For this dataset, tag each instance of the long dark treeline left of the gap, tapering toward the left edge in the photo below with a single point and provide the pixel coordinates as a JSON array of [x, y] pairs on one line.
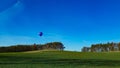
[[21, 48]]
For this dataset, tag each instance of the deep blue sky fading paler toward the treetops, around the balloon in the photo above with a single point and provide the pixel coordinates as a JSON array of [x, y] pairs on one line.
[[75, 23]]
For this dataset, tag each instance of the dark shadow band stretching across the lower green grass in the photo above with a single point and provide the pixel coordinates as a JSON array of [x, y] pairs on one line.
[[43, 60]]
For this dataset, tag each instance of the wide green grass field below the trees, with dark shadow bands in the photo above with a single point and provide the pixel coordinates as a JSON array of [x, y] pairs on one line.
[[59, 59]]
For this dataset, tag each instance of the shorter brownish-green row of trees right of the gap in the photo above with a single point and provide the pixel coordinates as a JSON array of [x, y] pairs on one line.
[[106, 47]]
